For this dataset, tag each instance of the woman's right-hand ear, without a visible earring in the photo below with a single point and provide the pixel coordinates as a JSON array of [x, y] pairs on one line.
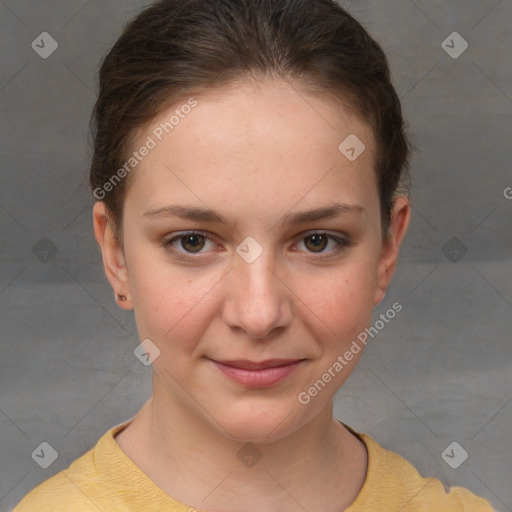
[[400, 217]]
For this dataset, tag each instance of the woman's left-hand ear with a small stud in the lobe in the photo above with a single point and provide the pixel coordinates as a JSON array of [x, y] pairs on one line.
[[113, 255]]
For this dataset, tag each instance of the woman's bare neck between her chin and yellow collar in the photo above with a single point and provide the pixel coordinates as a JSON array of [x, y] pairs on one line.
[[319, 466]]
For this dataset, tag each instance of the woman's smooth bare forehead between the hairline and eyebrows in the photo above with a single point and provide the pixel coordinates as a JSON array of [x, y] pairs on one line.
[[259, 140]]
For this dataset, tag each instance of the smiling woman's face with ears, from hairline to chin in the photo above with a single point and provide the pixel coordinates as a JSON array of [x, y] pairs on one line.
[[252, 277]]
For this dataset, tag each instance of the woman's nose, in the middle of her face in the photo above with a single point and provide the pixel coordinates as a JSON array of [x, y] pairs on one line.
[[258, 300]]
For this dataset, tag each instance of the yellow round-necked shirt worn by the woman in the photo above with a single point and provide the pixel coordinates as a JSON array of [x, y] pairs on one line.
[[105, 479]]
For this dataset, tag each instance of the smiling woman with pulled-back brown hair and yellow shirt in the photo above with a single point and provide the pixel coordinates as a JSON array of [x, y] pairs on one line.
[[247, 158]]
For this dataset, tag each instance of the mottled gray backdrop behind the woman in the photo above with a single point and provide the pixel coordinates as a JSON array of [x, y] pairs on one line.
[[439, 372]]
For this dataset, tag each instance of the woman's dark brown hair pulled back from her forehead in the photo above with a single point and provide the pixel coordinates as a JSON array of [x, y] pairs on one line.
[[174, 47]]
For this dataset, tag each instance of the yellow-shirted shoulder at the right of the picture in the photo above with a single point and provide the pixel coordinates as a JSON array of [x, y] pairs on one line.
[[392, 483]]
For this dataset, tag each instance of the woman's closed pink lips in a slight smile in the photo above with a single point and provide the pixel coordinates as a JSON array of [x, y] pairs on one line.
[[261, 375]]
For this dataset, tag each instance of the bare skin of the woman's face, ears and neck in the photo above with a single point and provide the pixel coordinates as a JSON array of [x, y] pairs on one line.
[[254, 152]]
